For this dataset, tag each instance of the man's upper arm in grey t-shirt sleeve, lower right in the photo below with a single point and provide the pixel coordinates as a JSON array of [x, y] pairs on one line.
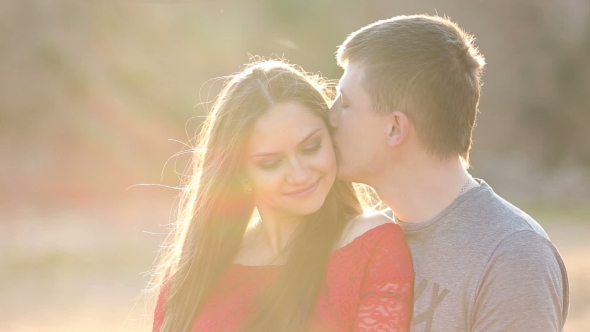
[[524, 288]]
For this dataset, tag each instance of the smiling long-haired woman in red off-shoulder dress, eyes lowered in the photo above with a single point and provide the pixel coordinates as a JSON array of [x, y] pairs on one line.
[[308, 259]]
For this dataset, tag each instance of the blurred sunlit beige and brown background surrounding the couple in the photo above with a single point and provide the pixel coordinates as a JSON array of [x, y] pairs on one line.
[[97, 97]]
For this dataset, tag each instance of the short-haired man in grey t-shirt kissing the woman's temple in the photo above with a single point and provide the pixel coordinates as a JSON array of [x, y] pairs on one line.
[[403, 122]]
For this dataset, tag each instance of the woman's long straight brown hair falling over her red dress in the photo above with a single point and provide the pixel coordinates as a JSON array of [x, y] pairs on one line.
[[215, 211]]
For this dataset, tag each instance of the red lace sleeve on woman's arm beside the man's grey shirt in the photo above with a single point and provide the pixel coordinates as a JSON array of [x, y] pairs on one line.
[[387, 289]]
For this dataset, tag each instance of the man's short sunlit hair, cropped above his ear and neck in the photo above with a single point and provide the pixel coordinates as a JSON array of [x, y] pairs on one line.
[[427, 67]]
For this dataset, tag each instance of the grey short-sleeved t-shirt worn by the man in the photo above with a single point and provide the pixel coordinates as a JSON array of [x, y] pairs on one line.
[[484, 265]]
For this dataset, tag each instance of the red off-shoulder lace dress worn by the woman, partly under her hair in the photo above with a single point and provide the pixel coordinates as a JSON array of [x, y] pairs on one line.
[[369, 285]]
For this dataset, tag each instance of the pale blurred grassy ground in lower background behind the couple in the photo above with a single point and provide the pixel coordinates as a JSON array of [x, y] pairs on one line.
[[72, 273]]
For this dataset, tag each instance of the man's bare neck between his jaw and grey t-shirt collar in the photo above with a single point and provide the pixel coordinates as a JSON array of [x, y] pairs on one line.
[[419, 192]]
